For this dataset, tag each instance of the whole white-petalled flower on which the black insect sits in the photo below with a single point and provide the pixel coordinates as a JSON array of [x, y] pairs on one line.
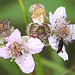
[[60, 28]]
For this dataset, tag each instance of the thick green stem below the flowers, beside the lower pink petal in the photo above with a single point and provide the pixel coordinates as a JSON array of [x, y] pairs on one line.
[[38, 67]]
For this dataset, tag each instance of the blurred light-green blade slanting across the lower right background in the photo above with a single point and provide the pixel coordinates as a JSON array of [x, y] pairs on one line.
[[55, 66]]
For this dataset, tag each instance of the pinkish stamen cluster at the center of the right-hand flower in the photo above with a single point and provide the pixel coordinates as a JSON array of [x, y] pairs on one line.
[[61, 29]]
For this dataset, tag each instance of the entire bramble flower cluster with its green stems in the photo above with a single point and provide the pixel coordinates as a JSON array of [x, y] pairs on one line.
[[43, 30]]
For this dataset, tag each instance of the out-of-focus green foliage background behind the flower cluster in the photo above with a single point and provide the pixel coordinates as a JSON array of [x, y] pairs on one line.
[[52, 63]]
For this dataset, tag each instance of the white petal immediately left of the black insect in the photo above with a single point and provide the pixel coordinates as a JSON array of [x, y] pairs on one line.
[[53, 42]]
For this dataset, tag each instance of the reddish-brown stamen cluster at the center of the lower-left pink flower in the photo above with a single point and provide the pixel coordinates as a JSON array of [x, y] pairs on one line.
[[16, 49]]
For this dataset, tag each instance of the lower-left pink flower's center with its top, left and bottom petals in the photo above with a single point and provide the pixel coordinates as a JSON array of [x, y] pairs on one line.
[[15, 49]]
